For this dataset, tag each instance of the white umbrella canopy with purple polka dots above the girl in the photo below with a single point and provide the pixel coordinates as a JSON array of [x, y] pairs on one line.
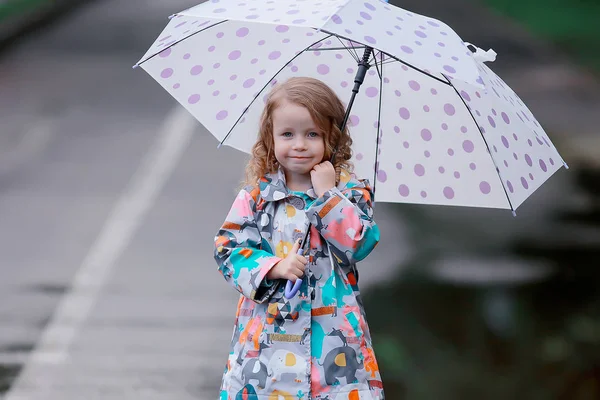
[[431, 125]]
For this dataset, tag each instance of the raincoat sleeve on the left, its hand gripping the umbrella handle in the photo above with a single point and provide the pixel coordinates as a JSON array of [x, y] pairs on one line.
[[239, 252]]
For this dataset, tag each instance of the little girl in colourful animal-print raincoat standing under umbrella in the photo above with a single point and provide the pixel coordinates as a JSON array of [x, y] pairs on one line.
[[317, 344]]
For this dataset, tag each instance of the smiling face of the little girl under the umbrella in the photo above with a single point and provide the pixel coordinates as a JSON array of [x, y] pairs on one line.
[[299, 143]]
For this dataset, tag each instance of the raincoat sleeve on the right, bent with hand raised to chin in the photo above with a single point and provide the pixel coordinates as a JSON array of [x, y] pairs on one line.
[[345, 220]]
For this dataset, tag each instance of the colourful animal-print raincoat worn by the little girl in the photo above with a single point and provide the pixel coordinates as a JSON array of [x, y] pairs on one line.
[[316, 345]]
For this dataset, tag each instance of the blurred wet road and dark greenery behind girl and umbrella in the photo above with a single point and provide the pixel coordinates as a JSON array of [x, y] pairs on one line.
[[108, 288]]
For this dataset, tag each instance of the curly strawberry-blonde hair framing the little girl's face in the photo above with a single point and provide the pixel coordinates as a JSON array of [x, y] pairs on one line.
[[325, 108]]
